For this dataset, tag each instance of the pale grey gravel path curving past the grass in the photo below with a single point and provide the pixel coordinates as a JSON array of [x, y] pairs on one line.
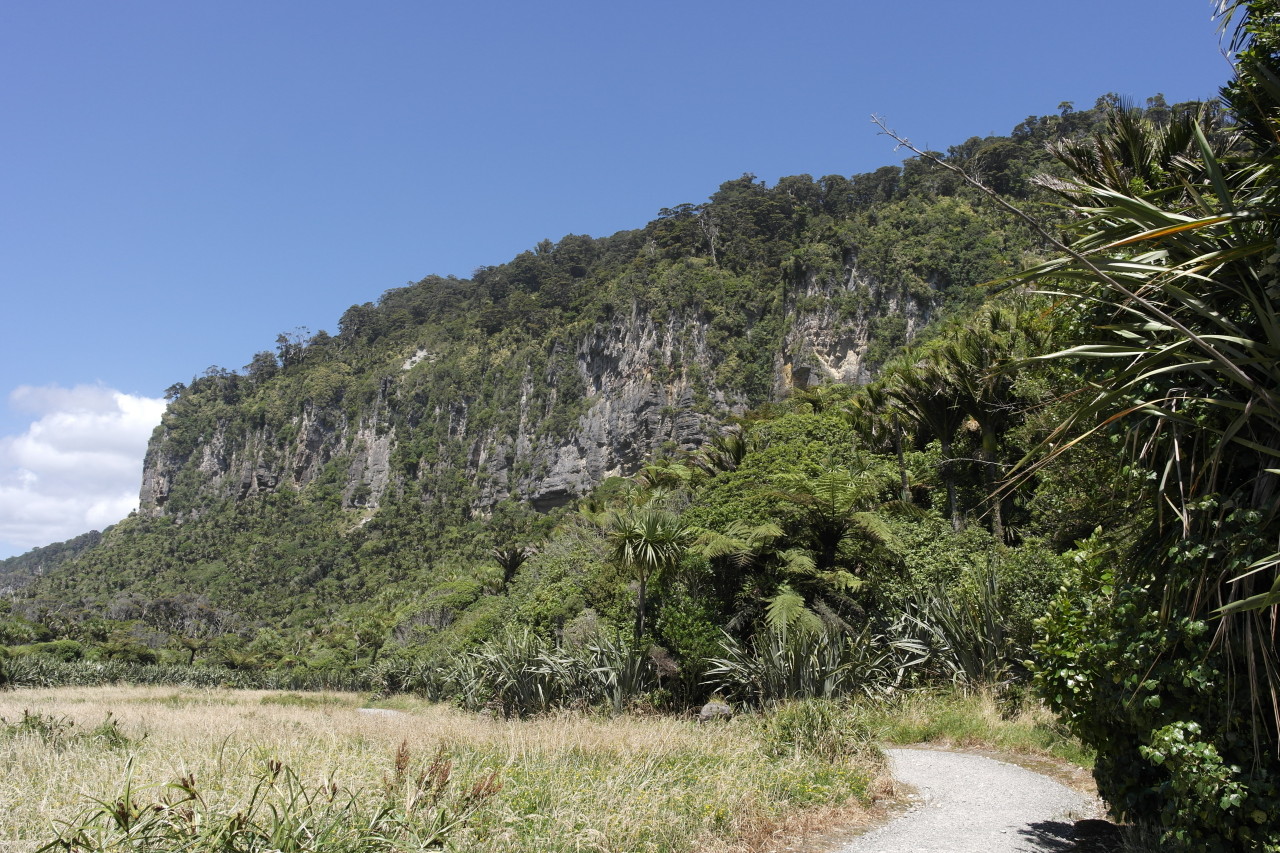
[[976, 805]]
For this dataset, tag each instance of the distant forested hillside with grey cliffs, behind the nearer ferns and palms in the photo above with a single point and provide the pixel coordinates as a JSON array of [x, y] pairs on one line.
[[380, 463]]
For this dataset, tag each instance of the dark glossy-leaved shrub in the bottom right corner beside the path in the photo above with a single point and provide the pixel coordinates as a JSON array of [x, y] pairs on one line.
[[1150, 694]]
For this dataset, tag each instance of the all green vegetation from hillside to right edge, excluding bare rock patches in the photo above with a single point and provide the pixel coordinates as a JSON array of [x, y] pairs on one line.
[[1072, 482]]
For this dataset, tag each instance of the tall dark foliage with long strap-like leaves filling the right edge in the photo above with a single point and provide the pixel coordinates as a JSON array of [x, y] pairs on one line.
[[1176, 261]]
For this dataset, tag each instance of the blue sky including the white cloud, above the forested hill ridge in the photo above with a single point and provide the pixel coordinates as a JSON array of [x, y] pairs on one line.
[[184, 183]]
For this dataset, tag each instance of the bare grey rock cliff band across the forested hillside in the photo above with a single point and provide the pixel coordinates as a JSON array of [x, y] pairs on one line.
[[629, 387]]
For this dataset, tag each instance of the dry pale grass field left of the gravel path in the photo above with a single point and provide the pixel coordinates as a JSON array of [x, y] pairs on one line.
[[316, 773]]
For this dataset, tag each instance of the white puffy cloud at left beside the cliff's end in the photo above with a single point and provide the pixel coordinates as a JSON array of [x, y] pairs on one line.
[[76, 468]]
